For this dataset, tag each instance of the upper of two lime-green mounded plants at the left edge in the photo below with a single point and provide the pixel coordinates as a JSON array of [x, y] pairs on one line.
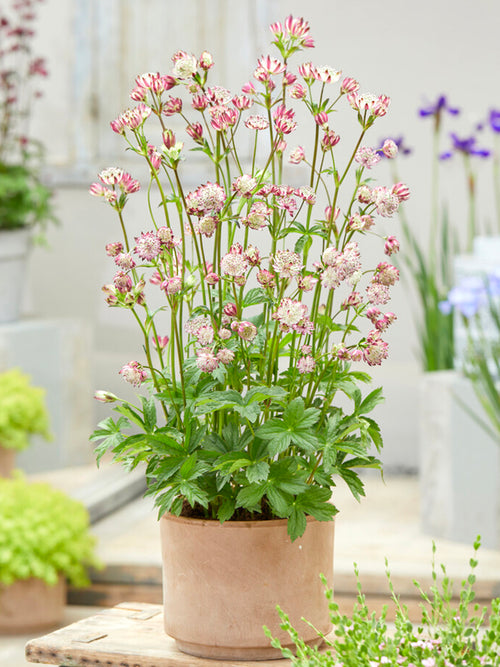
[[23, 413]]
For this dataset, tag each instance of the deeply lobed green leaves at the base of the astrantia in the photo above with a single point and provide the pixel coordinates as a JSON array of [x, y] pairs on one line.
[[286, 463]]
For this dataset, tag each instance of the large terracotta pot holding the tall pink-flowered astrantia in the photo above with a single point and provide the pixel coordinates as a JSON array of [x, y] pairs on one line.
[[222, 582]]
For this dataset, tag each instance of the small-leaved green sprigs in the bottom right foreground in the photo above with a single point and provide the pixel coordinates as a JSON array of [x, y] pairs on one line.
[[451, 631]]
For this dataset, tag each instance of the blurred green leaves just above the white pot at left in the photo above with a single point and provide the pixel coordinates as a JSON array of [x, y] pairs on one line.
[[24, 200]]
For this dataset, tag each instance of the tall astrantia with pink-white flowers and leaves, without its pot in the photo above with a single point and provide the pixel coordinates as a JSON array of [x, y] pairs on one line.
[[267, 311]]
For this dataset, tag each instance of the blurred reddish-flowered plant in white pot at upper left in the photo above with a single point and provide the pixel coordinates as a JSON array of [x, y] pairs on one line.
[[25, 202]]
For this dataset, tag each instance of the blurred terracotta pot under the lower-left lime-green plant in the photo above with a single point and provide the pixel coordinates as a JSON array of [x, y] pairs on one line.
[[31, 605]]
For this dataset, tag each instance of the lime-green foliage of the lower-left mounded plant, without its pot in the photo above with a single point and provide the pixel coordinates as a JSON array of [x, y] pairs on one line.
[[43, 534]]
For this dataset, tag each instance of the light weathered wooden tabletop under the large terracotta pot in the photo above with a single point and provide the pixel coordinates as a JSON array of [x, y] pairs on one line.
[[128, 635]]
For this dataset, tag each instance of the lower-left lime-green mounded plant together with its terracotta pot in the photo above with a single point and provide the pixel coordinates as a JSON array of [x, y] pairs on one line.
[[44, 541]]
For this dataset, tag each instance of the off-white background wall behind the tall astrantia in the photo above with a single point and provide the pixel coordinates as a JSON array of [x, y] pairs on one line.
[[410, 51]]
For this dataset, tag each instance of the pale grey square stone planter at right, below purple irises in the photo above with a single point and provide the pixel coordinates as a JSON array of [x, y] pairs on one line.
[[459, 464]]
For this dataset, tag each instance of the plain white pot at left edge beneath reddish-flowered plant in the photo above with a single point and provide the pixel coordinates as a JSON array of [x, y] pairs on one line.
[[14, 250]]
